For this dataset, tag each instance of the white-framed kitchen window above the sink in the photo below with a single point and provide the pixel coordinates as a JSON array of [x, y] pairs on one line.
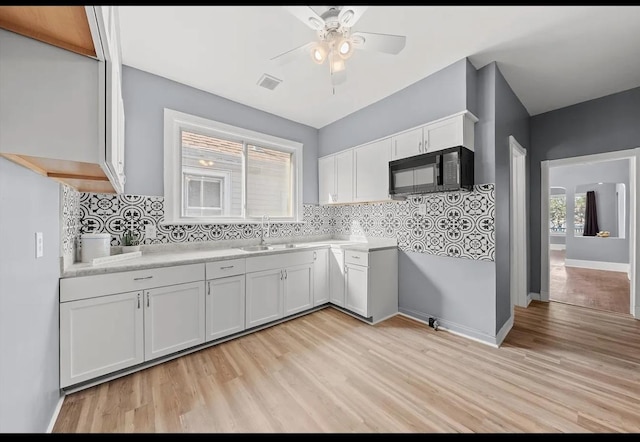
[[217, 173]]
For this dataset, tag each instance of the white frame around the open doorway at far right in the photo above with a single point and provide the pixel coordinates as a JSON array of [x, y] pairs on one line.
[[633, 155]]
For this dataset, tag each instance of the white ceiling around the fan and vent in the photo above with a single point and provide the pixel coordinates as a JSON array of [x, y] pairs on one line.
[[552, 56]]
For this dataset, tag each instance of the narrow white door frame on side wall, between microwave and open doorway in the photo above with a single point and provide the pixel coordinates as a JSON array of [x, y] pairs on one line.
[[518, 225]]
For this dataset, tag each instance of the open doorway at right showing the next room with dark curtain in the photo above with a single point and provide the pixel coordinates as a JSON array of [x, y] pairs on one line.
[[587, 264]]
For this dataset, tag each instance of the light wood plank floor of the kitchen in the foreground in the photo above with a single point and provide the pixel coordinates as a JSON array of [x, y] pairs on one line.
[[562, 368]]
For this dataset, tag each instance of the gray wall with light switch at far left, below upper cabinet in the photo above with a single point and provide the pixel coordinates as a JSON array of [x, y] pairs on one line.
[[29, 334]]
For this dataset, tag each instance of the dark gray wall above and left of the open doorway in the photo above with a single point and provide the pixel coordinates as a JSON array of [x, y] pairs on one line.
[[605, 124]]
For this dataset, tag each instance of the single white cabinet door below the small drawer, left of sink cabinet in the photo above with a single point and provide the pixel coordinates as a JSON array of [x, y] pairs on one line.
[[225, 307]]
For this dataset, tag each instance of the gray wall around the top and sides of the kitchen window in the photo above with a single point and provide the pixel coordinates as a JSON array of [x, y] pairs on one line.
[[146, 95]]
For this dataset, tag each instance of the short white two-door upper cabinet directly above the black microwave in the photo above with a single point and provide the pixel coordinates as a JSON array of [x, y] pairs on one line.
[[455, 130]]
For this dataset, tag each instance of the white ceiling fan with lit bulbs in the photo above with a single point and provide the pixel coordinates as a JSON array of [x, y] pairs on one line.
[[336, 42]]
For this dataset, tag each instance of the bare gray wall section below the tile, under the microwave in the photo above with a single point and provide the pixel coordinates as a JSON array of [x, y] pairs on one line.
[[459, 292]]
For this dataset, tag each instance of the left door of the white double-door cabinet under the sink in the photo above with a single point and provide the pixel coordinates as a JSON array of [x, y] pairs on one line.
[[264, 297]]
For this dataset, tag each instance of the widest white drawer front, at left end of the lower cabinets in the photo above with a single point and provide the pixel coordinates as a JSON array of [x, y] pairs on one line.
[[85, 287]]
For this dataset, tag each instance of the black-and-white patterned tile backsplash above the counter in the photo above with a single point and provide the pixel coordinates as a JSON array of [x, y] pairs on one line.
[[456, 224]]
